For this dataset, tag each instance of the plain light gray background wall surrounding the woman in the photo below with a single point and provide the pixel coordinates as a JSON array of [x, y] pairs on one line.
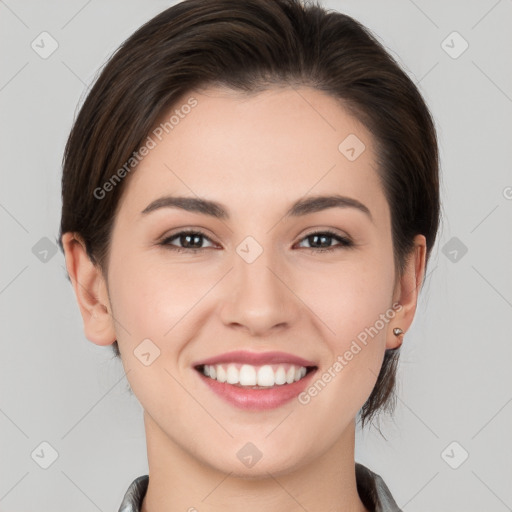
[[455, 379]]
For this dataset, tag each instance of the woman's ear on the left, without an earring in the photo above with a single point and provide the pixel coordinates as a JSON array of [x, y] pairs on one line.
[[90, 290]]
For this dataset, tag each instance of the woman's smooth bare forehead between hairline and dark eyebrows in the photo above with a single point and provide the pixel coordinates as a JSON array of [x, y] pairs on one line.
[[256, 150]]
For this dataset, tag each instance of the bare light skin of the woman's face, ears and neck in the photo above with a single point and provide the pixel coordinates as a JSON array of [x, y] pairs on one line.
[[256, 155]]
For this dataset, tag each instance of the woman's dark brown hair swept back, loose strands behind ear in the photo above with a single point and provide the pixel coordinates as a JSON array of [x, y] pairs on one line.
[[250, 46]]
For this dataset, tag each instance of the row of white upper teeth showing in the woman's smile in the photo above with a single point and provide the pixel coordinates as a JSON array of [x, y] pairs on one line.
[[248, 375]]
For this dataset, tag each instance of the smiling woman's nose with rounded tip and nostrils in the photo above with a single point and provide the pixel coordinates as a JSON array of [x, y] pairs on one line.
[[259, 297]]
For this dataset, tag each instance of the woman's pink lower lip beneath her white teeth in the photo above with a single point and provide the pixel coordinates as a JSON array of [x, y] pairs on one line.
[[257, 399]]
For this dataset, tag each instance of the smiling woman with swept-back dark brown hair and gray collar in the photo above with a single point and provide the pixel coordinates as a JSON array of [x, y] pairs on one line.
[[250, 199]]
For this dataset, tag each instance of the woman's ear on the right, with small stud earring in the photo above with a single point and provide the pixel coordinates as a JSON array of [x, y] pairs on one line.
[[406, 292]]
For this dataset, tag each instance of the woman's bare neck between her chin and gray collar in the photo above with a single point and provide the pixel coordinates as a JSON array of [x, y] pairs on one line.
[[179, 481]]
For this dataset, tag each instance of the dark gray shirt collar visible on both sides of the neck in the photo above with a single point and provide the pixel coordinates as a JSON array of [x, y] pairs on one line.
[[372, 490]]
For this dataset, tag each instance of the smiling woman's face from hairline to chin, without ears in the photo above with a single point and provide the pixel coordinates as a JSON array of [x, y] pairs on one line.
[[258, 281]]
